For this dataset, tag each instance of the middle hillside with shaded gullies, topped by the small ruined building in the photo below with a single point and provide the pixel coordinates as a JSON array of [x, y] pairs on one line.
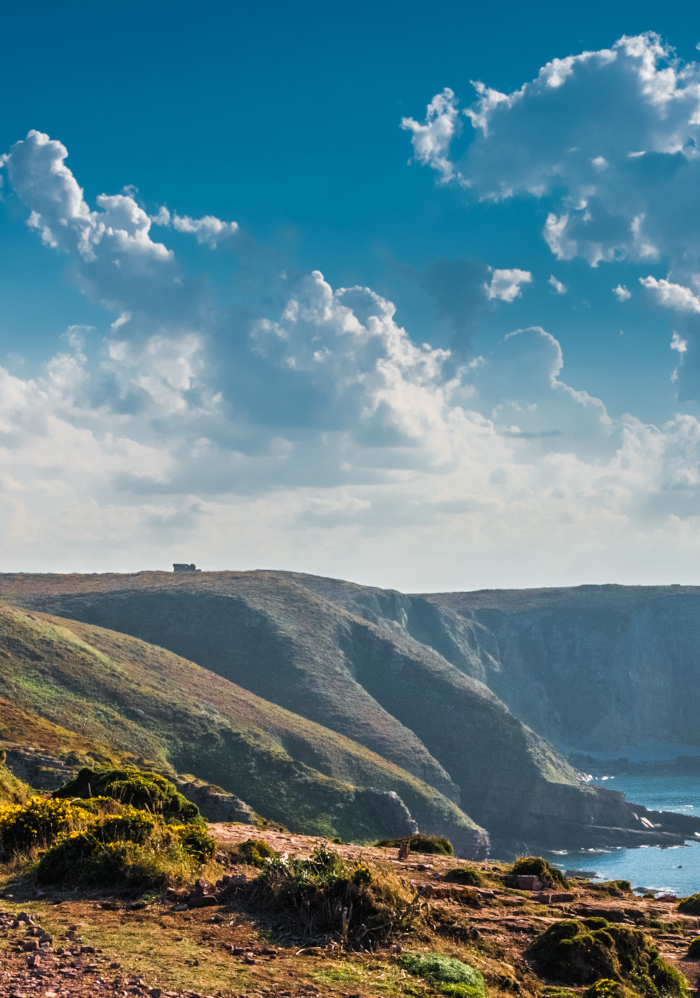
[[366, 663]]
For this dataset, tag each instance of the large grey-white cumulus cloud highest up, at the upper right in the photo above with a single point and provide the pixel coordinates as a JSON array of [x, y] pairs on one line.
[[612, 135]]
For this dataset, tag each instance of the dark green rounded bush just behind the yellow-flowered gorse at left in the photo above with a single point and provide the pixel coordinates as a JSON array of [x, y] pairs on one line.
[[147, 791]]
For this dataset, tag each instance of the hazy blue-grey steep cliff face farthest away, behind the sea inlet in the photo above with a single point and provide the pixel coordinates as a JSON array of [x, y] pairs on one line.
[[598, 668]]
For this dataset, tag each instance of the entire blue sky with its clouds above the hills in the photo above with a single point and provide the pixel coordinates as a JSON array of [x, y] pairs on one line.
[[281, 288]]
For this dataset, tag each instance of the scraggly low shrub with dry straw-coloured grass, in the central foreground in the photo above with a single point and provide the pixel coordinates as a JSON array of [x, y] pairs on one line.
[[325, 895]]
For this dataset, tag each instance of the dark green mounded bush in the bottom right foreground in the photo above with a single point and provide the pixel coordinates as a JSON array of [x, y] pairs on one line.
[[582, 951]]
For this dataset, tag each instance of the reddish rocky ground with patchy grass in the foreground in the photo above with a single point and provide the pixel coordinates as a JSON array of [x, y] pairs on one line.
[[203, 943]]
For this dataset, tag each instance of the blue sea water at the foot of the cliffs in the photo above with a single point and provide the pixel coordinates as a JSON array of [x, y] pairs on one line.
[[675, 870]]
